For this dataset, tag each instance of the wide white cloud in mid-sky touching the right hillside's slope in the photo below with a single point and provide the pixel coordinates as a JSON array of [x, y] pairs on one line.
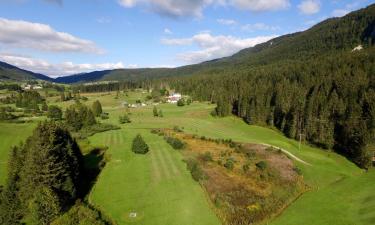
[[211, 47]]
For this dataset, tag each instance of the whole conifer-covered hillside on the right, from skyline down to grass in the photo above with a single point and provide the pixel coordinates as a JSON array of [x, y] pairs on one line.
[[310, 85]]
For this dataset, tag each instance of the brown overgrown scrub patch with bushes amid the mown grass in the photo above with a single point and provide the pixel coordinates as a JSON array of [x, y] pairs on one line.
[[247, 183]]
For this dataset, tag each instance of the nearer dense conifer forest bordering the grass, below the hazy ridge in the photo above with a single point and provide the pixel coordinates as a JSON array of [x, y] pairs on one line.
[[329, 101]]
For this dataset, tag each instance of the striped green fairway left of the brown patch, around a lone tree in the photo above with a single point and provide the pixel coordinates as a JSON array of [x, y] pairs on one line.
[[157, 186]]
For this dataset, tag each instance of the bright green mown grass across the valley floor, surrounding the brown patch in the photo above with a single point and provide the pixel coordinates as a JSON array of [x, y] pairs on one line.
[[159, 188]]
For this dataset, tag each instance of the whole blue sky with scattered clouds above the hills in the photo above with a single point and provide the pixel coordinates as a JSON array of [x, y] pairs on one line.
[[61, 37]]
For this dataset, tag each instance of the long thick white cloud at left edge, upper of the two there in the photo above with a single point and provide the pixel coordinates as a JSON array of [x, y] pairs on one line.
[[23, 34]]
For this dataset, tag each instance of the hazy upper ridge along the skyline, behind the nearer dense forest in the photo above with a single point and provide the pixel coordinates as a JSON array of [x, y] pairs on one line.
[[330, 36]]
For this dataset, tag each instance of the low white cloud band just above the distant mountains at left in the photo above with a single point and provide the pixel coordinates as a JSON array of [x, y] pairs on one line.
[[54, 70]]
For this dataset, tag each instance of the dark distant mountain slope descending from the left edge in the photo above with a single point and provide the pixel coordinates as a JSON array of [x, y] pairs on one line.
[[13, 73]]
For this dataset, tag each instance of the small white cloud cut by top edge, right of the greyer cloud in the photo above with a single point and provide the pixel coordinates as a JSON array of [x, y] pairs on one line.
[[260, 5]]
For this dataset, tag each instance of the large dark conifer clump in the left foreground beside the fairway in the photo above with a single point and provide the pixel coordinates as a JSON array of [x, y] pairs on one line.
[[44, 176]]
